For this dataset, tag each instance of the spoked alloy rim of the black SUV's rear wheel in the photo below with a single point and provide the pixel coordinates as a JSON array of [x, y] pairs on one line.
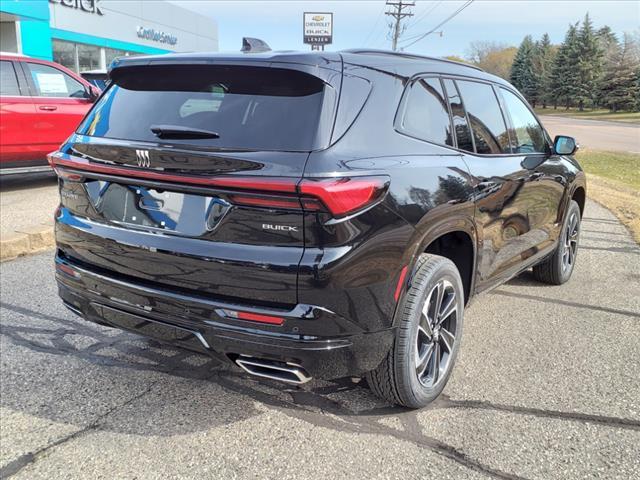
[[436, 335]]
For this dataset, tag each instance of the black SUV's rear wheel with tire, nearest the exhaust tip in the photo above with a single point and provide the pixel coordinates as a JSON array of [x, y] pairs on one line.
[[397, 378]]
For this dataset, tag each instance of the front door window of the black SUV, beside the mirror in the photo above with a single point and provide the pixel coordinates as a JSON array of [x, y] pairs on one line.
[[527, 132]]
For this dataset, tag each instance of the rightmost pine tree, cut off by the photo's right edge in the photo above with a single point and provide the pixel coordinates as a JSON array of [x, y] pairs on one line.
[[619, 86]]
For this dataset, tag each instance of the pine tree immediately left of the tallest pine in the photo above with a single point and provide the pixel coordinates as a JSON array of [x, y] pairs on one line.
[[564, 75]]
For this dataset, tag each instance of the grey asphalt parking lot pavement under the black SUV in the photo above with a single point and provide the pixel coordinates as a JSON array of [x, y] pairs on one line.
[[546, 386]]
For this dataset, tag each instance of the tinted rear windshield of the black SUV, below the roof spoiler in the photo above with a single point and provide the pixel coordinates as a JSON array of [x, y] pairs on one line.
[[247, 107]]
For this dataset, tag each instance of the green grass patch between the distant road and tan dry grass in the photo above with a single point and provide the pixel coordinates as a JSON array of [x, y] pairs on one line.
[[620, 167]]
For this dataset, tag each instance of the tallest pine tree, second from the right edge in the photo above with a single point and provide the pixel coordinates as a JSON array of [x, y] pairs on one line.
[[589, 64]]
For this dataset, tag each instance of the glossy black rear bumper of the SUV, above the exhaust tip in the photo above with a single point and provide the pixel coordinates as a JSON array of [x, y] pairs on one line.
[[323, 343]]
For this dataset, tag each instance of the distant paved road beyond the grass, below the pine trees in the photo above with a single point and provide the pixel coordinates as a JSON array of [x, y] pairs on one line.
[[596, 134]]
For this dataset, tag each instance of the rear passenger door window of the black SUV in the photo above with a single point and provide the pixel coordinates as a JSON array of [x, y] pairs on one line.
[[487, 124]]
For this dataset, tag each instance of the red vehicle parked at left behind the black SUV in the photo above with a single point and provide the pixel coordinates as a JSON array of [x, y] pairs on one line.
[[41, 104]]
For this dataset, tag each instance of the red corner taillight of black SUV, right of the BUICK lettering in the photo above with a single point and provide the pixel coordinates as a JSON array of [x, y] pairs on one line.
[[342, 196]]
